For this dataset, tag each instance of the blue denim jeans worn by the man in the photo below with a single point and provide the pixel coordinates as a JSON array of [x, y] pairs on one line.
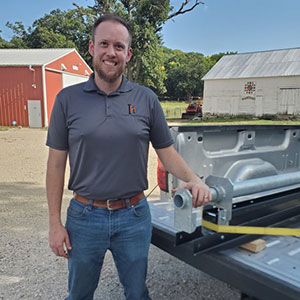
[[94, 230]]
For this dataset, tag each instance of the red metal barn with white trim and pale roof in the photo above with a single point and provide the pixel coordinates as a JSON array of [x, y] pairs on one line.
[[30, 80]]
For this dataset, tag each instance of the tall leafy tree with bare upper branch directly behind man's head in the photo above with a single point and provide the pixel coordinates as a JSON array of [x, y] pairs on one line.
[[146, 18]]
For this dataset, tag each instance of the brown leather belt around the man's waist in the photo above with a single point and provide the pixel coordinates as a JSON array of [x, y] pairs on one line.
[[111, 204]]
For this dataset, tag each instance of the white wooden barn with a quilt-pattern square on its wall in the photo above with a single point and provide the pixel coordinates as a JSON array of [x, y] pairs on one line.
[[258, 83]]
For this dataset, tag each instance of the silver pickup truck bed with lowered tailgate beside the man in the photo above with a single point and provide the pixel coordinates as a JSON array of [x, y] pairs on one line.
[[239, 154]]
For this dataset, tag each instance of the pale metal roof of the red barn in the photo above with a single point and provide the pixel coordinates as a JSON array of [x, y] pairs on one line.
[[25, 57]]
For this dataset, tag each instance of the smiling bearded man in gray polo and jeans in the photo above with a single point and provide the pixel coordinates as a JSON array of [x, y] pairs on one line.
[[104, 126]]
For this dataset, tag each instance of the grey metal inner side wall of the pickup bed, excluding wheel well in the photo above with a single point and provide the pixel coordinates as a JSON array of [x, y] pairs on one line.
[[212, 150]]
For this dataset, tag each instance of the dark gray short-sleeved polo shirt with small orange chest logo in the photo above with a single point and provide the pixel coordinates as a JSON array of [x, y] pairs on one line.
[[107, 137]]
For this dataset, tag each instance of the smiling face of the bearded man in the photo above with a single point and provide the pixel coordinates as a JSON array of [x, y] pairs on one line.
[[110, 50]]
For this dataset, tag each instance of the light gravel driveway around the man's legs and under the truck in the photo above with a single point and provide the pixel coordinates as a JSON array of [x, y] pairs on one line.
[[29, 270]]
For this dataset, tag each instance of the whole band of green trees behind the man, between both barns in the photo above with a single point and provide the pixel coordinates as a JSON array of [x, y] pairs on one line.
[[172, 73]]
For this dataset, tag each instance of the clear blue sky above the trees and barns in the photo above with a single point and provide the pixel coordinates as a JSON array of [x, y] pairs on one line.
[[217, 26]]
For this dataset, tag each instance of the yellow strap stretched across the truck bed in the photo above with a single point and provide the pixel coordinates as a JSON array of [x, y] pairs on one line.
[[251, 229]]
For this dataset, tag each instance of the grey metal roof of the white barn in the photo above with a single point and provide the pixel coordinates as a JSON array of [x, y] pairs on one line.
[[257, 64]]
